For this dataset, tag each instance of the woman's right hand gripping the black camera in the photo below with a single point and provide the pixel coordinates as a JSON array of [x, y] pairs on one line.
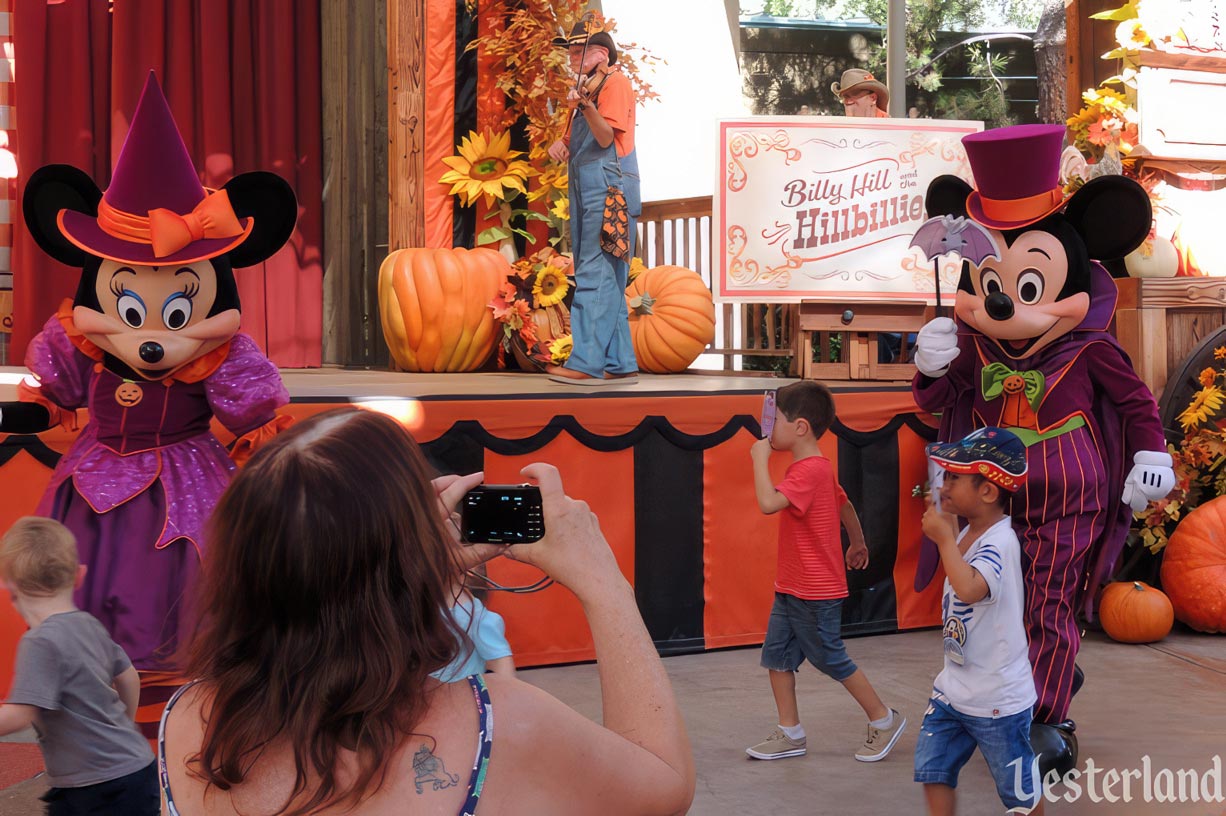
[[573, 552]]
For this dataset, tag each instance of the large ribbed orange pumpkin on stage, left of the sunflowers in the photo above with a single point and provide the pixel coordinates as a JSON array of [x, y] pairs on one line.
[[435, 307]]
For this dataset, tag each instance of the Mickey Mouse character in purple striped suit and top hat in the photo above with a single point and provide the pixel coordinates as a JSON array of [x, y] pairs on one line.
[[1030, 352]]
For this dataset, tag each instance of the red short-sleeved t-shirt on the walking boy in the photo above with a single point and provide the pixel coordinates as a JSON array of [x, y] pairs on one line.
[[811, 561]]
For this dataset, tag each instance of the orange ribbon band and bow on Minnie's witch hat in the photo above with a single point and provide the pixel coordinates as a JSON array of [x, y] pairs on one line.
[[169, 232]]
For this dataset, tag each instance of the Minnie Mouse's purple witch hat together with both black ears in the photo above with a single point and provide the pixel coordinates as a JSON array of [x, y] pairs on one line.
[[156, 210]]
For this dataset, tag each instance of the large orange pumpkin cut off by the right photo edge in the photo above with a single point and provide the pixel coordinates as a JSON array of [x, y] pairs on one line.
[[1195, 568]]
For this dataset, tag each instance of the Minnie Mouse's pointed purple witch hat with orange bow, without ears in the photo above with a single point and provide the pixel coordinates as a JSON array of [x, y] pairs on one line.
[[156, 210]]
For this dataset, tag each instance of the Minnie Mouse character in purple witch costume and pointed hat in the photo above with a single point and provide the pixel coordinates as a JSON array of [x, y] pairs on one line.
[[151, 347]]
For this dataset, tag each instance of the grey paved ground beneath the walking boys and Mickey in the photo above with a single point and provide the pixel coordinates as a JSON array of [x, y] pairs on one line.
[[1165, 701]]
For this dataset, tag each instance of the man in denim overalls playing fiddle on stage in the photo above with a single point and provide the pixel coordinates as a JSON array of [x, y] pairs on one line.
[[601, 160]]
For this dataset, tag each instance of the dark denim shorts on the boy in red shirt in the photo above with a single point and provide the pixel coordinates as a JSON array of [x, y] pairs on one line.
[[801, 630]]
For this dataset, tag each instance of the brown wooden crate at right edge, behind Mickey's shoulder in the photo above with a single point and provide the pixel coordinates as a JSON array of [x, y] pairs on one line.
[[1160, 320]]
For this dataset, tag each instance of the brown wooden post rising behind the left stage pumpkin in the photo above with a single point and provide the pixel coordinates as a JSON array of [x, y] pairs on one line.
[[406, 123]]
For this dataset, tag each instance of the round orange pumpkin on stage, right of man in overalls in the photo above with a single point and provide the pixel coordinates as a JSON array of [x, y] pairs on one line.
[[672, 318]]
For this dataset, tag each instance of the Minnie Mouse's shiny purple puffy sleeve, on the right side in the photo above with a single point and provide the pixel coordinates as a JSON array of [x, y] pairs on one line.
[[247, 390]]
